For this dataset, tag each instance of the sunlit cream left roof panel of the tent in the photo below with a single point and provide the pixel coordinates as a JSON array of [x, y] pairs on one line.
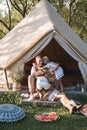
[[24, 36]]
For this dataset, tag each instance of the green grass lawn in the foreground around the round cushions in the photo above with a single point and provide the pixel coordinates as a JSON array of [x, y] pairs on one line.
[[67, 121]]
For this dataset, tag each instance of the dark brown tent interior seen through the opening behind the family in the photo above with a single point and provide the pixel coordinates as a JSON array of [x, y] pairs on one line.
[[56, 53]]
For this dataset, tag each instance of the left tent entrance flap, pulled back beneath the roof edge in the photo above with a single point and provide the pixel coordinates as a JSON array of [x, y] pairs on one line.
[[33, 51]]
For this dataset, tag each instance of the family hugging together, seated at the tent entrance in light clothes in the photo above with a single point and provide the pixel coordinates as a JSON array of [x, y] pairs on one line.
[[45, 82]]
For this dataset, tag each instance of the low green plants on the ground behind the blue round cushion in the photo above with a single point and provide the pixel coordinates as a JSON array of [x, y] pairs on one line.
[[11, 97]]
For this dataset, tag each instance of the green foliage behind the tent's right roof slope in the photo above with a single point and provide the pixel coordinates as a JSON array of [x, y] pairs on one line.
[[79, 15]]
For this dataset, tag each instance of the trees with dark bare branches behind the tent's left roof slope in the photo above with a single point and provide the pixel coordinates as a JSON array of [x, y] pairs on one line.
[[17, 10]]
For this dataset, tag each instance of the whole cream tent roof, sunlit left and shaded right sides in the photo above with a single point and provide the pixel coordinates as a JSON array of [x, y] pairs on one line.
[[42, 20]]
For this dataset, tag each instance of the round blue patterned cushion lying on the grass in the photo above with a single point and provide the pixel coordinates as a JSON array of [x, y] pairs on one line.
[[11, 113]]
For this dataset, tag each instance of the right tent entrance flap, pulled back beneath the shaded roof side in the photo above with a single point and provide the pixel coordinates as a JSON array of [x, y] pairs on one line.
[[74, 55]]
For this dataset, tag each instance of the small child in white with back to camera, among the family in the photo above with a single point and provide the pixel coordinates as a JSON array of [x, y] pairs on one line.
[[42, 83]]
